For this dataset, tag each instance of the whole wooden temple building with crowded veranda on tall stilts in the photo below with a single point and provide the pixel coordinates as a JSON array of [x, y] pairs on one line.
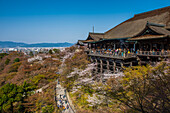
[[143, 39]]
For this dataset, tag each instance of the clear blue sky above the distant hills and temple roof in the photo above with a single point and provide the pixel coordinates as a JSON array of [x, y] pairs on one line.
[[52, 21]]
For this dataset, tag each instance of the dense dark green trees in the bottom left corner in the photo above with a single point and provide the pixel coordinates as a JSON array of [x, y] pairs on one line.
[[11, 96]]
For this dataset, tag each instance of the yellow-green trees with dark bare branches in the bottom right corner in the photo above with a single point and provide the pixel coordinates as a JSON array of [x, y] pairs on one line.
[[143, 89]]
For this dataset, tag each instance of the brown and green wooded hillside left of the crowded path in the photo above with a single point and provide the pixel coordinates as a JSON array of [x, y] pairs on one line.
[[20, 80]]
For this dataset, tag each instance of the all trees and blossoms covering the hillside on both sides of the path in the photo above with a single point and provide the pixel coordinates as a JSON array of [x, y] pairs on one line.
[[139, 89]]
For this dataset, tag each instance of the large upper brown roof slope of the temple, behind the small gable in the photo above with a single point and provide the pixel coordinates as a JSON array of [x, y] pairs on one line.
[[133, 26]]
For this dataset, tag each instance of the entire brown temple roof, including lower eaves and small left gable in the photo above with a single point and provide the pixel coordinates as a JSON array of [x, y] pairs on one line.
[[158, 20]]
